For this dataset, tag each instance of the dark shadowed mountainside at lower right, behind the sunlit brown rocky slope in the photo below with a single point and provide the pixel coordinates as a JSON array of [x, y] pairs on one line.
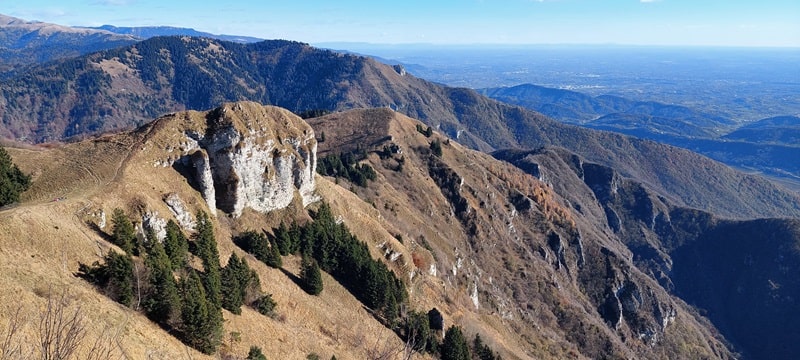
[[737, 273]]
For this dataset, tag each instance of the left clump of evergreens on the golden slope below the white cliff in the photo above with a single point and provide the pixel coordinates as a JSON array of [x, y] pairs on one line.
[[170, 292]]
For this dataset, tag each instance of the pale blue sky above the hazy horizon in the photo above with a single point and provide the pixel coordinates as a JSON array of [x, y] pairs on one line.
[[763, 23]]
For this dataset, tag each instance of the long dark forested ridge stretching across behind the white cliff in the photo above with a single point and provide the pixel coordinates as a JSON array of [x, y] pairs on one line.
[[124, 87]]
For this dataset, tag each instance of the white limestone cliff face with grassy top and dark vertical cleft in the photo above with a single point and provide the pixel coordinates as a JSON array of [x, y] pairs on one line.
[[245, 155]]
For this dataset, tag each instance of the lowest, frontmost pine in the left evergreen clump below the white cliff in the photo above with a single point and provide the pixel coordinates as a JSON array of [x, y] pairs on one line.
[[200, 327]]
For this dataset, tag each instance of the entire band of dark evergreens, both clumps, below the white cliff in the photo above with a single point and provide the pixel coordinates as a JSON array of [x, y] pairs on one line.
[[189, 302]]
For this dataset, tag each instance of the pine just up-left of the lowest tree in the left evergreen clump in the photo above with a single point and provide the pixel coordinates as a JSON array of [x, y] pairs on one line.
[[162, 304]]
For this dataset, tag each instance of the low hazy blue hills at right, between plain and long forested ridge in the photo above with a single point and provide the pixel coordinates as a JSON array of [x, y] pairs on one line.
[[770, 146]]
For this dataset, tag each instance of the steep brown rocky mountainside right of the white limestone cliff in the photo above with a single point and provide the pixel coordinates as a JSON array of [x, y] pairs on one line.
[[488, 241]]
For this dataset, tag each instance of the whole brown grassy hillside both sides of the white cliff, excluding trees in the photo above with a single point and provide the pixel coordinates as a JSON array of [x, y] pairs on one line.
[[499, 252]]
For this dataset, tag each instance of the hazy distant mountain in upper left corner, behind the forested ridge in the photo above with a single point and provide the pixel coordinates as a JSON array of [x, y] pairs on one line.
[[23, 43]]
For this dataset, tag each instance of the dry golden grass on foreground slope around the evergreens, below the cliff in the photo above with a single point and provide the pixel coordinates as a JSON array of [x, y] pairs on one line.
[[42, 241]]
